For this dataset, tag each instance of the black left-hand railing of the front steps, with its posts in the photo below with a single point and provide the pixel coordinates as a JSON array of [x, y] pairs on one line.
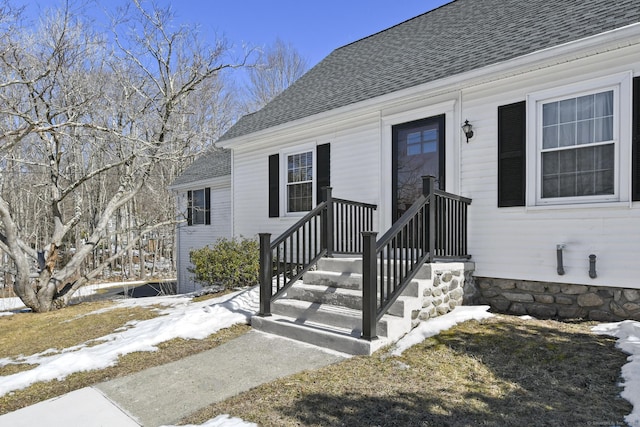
[[335, 226]]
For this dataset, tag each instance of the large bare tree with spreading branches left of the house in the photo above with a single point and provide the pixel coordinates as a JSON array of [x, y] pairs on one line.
[[87, 127]]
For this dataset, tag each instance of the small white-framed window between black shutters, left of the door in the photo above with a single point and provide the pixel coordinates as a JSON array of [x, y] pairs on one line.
[[299, 180]]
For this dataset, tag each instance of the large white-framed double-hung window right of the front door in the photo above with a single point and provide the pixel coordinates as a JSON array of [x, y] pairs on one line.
[[576, 136]]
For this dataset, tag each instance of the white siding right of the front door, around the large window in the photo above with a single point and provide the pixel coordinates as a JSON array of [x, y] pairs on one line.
[[520, 242]]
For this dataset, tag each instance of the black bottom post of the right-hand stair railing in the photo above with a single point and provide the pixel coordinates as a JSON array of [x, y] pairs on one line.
[[369, 286]]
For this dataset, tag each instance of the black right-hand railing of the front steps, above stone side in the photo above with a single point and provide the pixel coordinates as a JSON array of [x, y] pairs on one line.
[[435, 226]]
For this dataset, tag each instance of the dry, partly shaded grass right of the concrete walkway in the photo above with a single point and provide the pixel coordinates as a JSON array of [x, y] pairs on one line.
[[504, 371]]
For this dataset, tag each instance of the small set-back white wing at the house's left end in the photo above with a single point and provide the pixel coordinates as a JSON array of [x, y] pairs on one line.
[[204, 209]]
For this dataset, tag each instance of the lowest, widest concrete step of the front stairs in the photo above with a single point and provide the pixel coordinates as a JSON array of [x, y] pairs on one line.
[[337, 339]]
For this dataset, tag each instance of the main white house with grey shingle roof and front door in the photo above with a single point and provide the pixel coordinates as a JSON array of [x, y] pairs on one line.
[[552, 92]]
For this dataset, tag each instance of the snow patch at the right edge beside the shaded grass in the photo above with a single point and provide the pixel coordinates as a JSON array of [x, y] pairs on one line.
[[628, 334]]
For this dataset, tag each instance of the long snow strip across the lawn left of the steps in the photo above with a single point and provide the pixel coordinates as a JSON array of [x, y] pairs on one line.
[[182, 319]]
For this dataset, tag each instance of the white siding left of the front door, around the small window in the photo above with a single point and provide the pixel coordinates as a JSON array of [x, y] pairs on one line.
[[352, 180]]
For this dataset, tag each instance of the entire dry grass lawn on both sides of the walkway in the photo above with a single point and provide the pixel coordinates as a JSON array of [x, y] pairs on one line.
[[503, 371]]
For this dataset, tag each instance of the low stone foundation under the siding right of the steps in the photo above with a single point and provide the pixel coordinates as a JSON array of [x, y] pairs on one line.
[[556, 300]]
